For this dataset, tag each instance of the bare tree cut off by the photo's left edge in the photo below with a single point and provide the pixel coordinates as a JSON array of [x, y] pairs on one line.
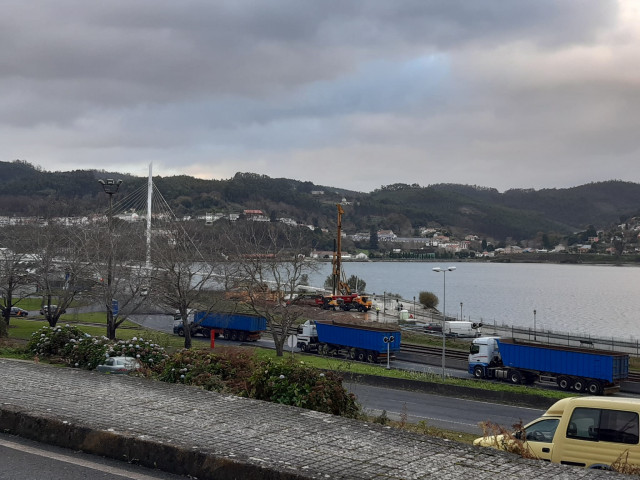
[[15, 279]]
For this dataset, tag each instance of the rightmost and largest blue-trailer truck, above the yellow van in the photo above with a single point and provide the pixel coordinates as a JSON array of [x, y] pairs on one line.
[[570, 368]]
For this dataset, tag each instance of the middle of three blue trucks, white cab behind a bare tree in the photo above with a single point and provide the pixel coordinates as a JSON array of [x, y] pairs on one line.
[[366, 343]]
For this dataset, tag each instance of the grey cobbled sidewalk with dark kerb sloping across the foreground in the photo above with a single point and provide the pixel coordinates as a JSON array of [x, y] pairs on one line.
[[208, 435]]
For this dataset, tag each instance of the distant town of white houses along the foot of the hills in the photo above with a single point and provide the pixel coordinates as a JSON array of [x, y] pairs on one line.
[[429, 242]]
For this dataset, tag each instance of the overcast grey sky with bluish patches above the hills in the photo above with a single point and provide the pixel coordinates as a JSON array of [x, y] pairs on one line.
[[348, 93]]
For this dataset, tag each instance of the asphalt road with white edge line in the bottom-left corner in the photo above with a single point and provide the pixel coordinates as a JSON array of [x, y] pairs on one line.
[[26, 460]]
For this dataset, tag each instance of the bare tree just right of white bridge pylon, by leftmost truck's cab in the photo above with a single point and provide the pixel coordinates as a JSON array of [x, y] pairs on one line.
[[186, 272]]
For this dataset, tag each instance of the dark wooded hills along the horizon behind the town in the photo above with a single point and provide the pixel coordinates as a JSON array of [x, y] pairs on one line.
[[519, 214]]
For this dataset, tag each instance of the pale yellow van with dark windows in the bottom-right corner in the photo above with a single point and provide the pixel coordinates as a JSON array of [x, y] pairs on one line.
[[592, 432]]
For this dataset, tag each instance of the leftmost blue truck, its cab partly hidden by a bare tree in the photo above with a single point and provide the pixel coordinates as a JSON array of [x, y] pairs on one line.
[[232, 326]]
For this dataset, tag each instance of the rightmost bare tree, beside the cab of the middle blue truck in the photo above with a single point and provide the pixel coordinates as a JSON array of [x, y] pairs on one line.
[[272, 262]]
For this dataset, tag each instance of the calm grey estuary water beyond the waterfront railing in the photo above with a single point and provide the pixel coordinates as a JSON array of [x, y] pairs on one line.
[[586, 299]]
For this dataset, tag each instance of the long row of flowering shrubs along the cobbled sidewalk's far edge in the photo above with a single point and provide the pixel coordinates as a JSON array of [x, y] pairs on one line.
[[231, 370]]
